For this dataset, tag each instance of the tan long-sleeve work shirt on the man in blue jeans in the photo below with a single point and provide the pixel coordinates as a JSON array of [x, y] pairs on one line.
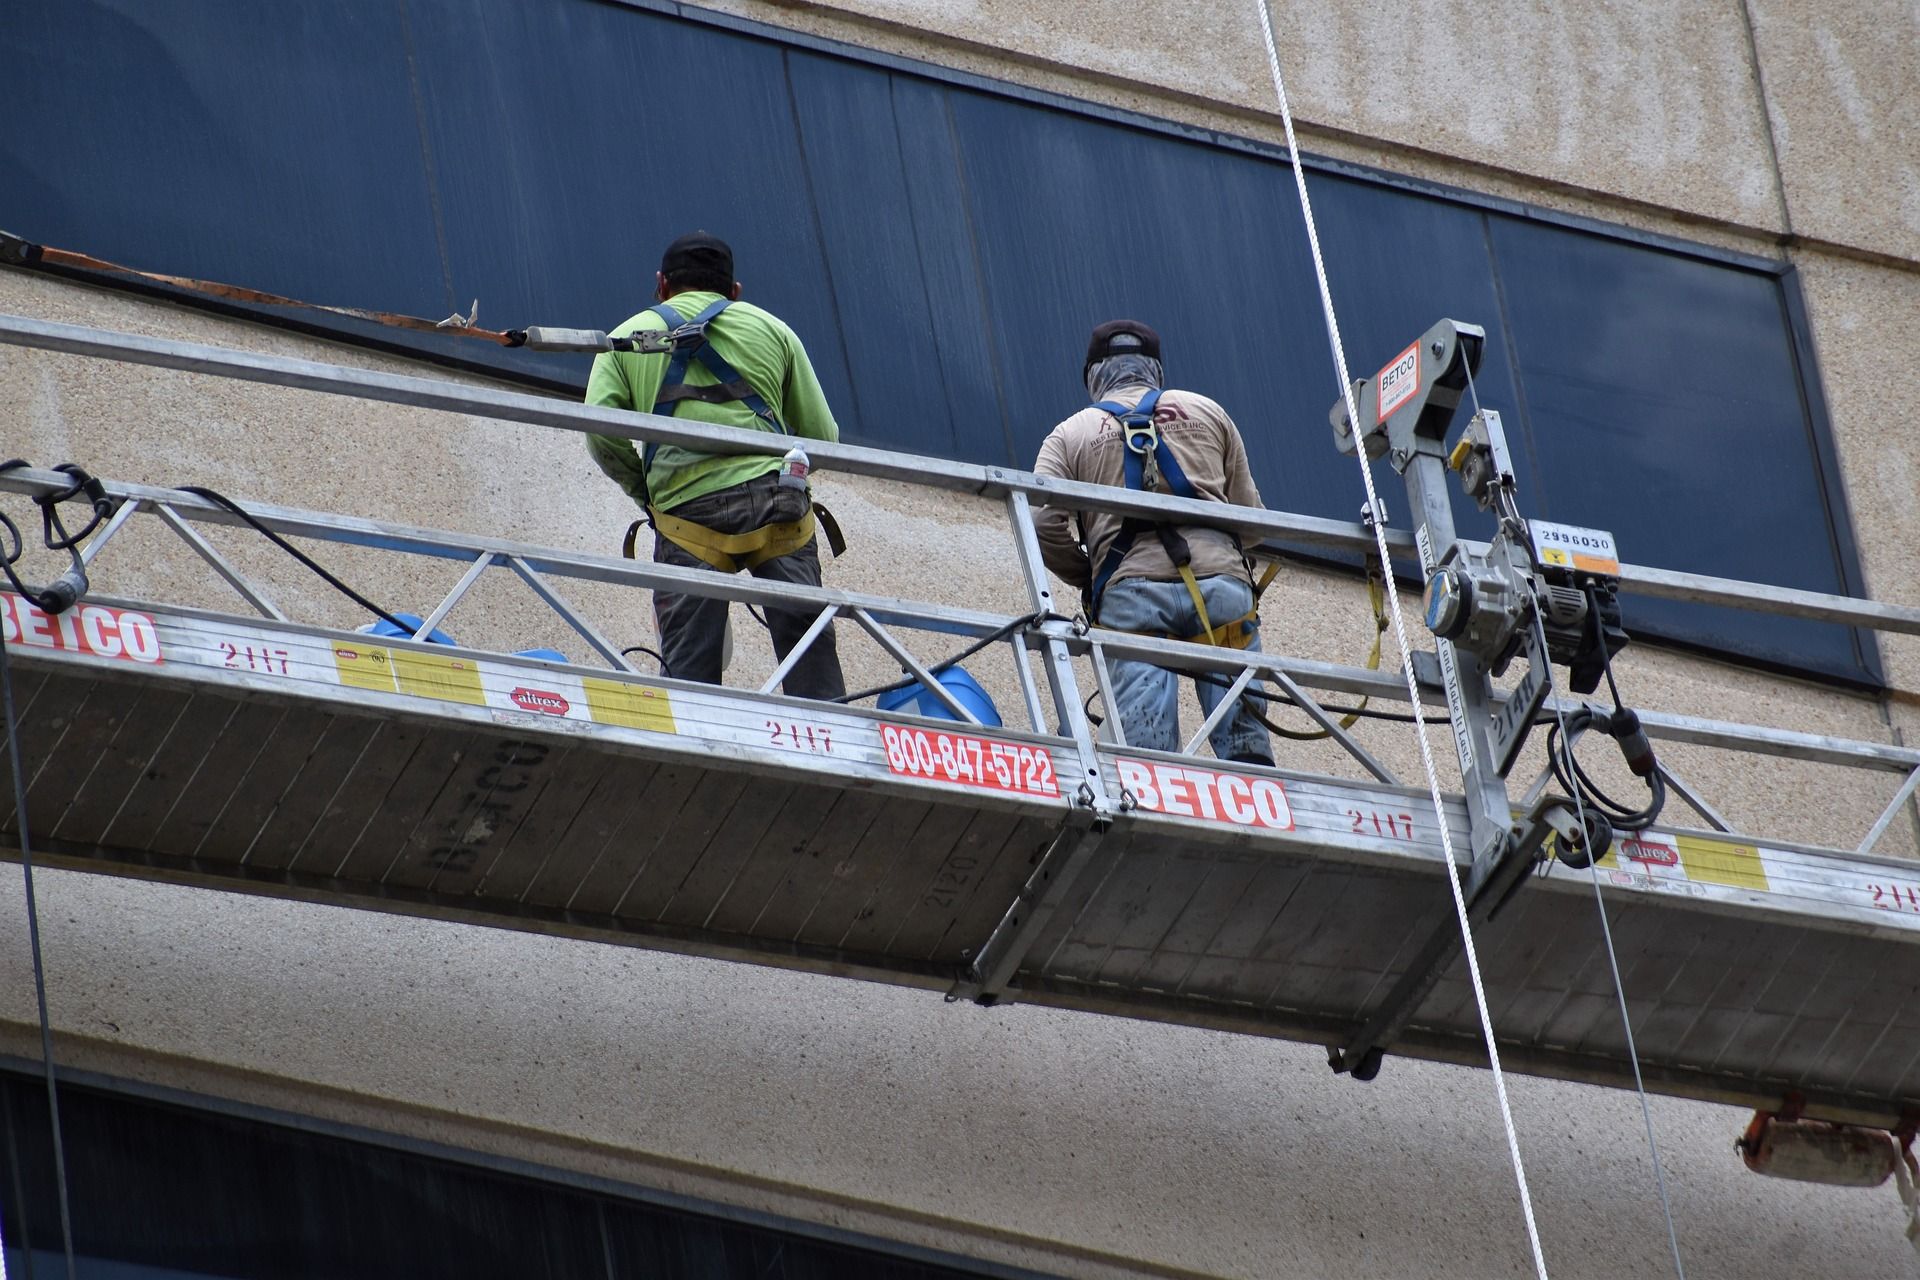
[[1090, 448]]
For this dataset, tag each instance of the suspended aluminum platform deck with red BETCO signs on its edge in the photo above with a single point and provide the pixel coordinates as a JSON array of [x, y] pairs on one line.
[[412, 778]]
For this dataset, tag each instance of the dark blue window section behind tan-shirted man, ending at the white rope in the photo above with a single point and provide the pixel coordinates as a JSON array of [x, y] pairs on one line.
[[1080, 224]]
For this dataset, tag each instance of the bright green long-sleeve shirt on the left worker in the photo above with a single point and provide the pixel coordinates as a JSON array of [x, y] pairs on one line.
[[763, 350]]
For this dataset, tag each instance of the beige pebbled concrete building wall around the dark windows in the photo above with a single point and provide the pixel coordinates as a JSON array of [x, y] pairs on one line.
[[1061, 1143]]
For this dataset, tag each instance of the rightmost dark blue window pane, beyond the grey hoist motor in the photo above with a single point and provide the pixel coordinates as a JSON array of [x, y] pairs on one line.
[[1666, 406]]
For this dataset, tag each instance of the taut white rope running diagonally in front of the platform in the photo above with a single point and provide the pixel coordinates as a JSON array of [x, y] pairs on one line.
[[1401, 638]]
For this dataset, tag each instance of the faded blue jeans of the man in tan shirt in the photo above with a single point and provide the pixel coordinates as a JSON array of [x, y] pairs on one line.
[[1149, 696]]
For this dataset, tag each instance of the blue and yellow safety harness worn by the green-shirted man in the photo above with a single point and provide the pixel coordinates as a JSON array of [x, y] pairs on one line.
[[725, 552]]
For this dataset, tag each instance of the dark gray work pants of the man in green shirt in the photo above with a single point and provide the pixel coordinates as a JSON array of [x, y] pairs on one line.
[[694, 627]]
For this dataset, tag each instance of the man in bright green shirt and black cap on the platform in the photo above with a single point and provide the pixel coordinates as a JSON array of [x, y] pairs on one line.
[[734, 366]]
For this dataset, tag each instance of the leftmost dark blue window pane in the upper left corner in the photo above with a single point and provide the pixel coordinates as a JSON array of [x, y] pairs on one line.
[[262, 145]]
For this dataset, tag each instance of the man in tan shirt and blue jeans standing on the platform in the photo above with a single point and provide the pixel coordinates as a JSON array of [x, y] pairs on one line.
[[1186, 582]]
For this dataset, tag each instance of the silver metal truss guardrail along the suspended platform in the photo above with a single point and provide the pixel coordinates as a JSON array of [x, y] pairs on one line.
[[1053, 703]]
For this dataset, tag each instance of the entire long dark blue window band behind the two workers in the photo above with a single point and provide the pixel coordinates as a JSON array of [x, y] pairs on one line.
[[940, 247]]
